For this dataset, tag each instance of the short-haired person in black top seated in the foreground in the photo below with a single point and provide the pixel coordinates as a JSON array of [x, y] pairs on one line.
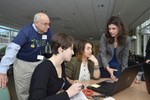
[[49, 80]]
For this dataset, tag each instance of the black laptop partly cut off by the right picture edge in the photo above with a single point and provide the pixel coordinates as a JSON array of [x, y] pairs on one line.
[[146, 68]]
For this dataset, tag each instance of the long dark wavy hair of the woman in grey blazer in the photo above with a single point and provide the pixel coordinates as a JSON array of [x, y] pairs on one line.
[[116, 20]]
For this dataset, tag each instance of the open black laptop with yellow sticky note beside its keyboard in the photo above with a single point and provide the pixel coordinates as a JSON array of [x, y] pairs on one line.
[[109, 87]]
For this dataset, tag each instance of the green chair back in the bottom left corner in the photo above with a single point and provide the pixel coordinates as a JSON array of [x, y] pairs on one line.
[[5, 94]]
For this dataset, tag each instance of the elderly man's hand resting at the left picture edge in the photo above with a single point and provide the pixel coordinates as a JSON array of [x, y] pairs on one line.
[[3, 80]]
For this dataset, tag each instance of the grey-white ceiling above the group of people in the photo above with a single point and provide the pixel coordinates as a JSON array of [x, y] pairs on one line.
[[80, 18]]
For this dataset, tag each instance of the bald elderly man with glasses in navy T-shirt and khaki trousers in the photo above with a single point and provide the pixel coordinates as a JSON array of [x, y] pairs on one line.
[[25, 53]]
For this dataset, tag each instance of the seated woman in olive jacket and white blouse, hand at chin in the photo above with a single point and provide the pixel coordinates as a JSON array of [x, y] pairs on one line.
[[84, 65]]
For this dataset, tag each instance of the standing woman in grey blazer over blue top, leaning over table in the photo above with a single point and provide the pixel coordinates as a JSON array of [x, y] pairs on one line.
[[114, 48]]
